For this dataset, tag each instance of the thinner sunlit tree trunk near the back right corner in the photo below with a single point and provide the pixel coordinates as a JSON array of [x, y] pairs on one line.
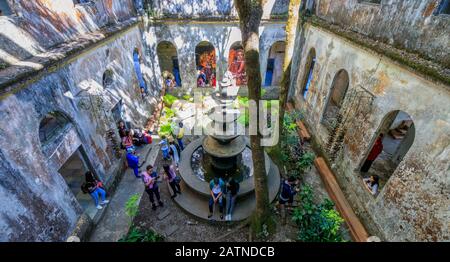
[[291, 27]]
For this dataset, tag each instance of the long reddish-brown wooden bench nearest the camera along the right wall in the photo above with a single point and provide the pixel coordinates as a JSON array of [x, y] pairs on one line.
[[357, 230]]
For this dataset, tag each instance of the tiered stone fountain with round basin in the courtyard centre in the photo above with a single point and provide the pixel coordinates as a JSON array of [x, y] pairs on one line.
[[222, 152]]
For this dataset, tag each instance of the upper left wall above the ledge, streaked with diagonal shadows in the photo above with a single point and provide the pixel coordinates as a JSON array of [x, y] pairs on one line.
[[39, 25]]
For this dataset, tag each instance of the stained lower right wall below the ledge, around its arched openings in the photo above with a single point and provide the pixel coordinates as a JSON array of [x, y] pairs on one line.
[[414, 203]]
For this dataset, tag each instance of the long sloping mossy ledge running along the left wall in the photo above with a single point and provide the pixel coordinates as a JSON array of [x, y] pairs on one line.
[[26, 72]]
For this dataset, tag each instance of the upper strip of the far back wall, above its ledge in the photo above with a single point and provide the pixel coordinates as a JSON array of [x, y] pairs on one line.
[[211, 9]]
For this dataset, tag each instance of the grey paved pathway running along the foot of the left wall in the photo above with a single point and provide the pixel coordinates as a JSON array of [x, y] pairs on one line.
[[115, 222]]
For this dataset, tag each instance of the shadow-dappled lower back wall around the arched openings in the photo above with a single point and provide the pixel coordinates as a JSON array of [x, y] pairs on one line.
[[221, 35]]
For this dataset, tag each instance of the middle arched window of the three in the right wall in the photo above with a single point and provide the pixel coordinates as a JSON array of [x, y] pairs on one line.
[[338, 91]]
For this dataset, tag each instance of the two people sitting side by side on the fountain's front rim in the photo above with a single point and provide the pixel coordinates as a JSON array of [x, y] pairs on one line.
[[218, 189]]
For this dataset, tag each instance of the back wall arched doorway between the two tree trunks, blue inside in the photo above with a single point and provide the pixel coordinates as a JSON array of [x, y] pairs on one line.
[[275, 62]]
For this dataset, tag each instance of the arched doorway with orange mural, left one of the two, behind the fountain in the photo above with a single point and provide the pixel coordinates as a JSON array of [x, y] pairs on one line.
[[205, 59]]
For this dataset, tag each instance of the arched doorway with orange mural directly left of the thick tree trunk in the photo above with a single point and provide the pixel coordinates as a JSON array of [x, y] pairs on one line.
[[236, 63]]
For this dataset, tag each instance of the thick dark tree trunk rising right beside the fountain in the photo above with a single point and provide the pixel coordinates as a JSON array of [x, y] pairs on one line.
[[250, 12]]
